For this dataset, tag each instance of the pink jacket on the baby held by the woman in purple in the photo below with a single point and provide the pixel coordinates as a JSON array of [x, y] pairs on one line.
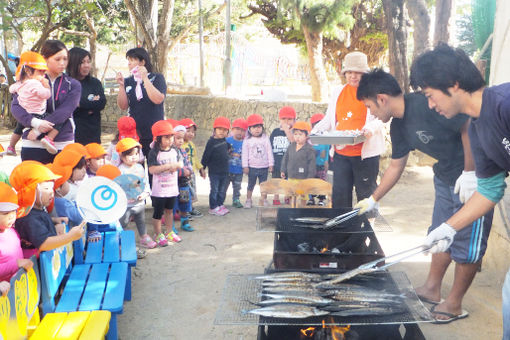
[[32, 95]]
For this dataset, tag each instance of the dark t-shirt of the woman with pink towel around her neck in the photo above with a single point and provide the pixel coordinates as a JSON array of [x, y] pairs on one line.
[[144, 112]]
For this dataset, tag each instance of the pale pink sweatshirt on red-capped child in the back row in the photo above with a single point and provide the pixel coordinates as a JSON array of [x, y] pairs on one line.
[[257, 152]]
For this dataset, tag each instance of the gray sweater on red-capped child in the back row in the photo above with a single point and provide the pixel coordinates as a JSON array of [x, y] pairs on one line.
[[299, 164]]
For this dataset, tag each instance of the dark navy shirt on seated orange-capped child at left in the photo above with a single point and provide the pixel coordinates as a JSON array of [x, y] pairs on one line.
[[35, 228]]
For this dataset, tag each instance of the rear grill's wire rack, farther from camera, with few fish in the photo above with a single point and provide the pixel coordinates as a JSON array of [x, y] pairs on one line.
[[267, 221]]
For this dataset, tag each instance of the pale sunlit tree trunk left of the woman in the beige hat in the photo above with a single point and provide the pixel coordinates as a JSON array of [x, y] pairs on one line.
[[318, 78]]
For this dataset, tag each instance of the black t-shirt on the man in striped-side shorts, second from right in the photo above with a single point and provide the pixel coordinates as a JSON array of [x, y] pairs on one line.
[[426, 130]]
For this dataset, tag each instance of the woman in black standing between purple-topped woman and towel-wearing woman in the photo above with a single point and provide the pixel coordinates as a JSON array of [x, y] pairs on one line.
[[87, 115]]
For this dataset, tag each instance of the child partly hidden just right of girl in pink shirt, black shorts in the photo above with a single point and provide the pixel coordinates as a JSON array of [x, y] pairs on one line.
[[183, 202]]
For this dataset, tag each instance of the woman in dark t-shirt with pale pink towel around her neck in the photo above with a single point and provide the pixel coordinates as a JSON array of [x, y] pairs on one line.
[[142, 94]]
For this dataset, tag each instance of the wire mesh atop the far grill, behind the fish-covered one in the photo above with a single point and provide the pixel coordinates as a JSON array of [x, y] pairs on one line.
[[272, 219]]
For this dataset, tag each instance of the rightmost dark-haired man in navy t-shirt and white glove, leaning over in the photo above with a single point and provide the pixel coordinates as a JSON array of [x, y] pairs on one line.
[[446, 76]]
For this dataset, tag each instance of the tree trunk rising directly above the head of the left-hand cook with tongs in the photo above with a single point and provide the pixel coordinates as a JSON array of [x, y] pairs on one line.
[[397, 41]]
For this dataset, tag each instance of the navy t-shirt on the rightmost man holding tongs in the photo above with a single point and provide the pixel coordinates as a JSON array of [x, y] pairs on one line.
[[489, 134]]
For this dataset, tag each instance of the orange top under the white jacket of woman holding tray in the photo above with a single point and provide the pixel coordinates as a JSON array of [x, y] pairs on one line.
[[351, 114]]
